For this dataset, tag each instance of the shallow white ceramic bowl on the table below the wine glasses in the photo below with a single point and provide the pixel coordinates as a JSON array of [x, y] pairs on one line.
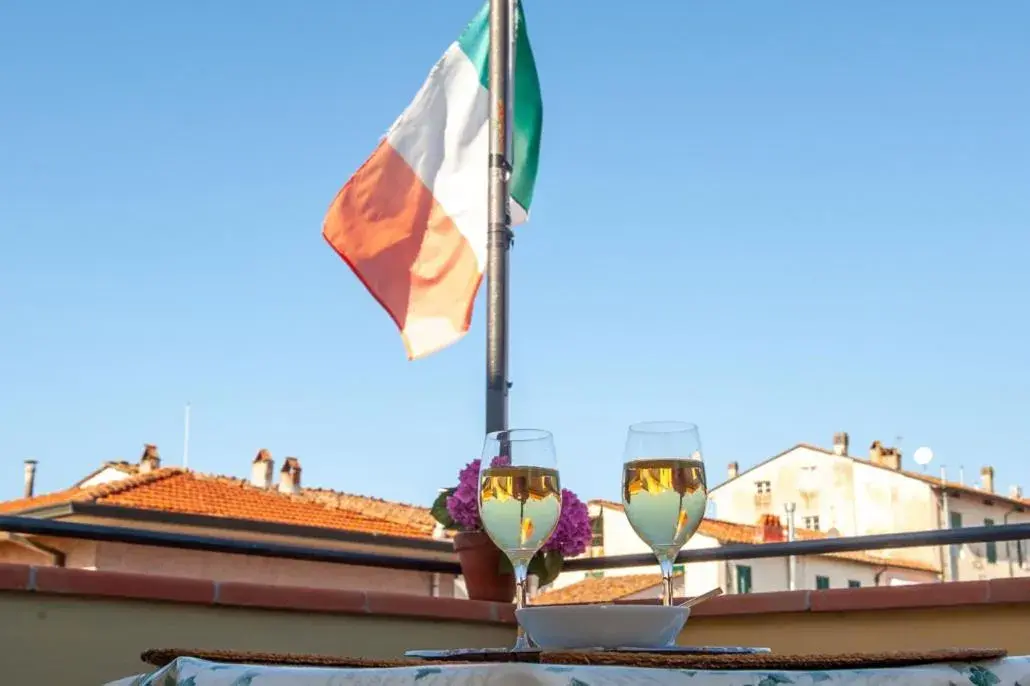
[[557, 627]]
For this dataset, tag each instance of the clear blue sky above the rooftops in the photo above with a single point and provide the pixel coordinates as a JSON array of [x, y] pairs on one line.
[[775, 220]]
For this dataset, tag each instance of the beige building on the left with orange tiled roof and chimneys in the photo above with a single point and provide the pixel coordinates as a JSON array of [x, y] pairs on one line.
[[146, 496]]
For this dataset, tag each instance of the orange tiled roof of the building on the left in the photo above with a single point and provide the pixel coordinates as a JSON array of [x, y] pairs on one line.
[[176, 490]]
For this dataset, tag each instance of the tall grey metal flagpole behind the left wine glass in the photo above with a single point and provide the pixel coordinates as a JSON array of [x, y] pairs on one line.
[[499, 219]]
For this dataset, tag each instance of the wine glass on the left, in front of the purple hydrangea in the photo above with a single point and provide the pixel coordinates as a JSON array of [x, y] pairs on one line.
[[520, 500]]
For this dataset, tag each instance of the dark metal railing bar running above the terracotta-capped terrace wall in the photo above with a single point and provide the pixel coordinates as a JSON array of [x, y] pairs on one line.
[[948, 537]]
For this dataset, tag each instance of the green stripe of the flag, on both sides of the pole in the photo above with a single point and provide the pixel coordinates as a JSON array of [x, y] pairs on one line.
[[529, 125]]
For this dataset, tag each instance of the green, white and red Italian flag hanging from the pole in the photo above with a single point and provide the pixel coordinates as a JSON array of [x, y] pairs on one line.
[[411, 223]]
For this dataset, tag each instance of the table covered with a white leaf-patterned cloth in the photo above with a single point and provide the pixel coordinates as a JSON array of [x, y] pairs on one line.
[[192, 672]]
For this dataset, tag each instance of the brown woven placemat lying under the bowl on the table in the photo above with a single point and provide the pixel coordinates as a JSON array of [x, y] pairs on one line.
[[161, 658]]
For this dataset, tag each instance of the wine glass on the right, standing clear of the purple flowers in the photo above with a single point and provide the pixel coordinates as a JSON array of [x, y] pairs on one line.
[[665, 492]]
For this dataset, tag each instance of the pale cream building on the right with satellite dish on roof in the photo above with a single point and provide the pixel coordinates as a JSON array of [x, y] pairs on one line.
[[839, 494]]
